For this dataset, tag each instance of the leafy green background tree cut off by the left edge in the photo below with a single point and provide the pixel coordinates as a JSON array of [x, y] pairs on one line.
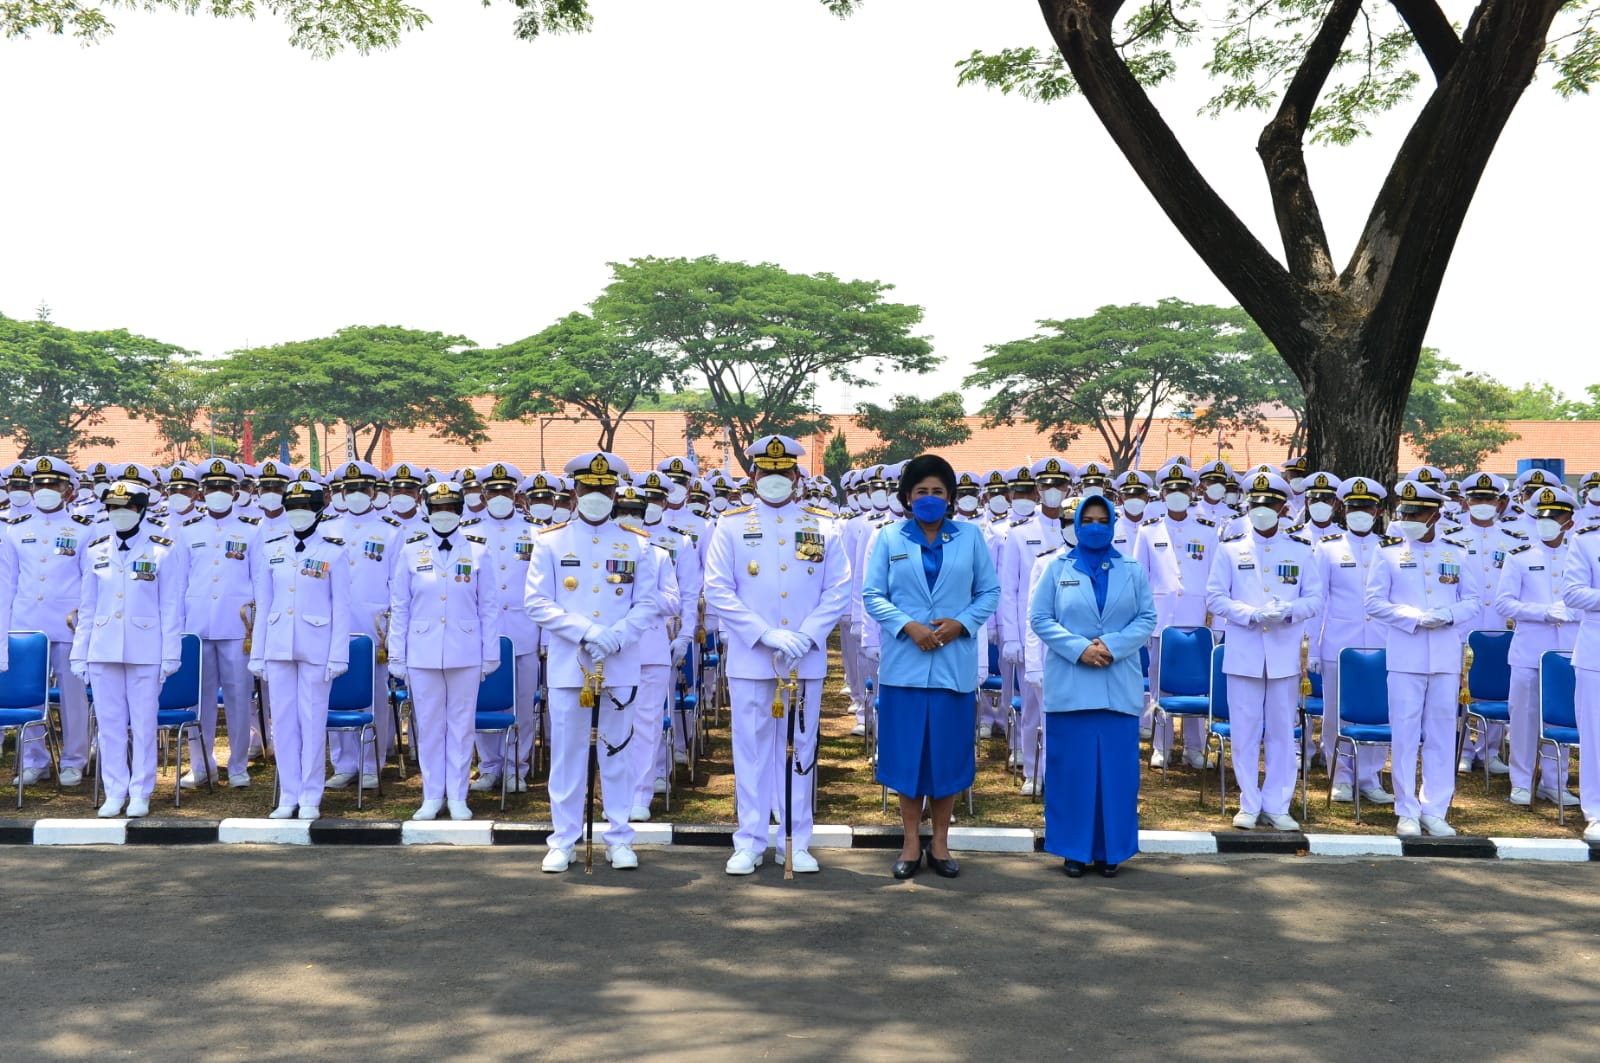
[[58, 382]]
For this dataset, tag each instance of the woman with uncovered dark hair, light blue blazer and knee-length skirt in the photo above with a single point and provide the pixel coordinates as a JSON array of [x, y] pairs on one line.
[[930, 585]]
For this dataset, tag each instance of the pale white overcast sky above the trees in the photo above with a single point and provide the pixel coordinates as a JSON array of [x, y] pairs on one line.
[[204, 183]]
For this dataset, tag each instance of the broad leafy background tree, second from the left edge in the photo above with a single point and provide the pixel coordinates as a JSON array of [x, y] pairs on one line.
[[374, 379]]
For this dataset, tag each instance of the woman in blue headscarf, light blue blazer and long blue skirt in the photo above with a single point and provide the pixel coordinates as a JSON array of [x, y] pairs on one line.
[[1094, 611]]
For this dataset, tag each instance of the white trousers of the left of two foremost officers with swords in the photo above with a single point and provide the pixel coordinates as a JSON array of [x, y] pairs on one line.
[[570, 768]]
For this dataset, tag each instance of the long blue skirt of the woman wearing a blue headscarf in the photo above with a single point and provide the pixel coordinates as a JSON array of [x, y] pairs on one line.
[[1092, 792]]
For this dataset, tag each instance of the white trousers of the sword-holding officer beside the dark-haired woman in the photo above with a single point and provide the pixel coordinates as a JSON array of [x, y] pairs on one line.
[[761, 755]]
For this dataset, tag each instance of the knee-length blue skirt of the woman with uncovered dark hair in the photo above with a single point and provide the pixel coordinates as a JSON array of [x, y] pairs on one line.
[[927, 740]]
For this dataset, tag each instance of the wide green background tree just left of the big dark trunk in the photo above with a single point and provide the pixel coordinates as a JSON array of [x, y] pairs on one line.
[[1116, 371]]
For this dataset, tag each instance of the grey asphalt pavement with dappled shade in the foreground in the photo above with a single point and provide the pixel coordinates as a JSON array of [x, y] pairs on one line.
[[321, 953]]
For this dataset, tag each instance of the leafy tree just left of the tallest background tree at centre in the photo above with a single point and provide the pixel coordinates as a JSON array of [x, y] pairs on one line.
[[582, 363]]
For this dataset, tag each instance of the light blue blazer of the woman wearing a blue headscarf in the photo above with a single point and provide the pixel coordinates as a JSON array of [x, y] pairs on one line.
[[1066, 620]]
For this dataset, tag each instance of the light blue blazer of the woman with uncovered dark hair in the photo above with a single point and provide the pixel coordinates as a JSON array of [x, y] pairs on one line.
[[895, 593]]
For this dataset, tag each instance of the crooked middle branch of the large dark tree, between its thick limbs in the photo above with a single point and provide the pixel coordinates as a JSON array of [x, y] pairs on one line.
[[1282, 150]]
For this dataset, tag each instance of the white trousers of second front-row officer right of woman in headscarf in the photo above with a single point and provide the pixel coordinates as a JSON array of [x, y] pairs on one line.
[[1423, 718]]
